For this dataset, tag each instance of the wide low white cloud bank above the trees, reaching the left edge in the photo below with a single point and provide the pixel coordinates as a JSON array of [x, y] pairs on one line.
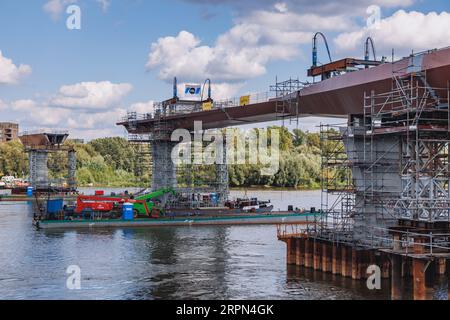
[[85, 106]]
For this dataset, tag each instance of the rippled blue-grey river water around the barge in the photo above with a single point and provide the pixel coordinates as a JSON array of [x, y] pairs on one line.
[[236, 262]]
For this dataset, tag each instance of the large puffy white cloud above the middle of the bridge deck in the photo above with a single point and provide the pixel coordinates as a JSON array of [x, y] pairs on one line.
[[244, 51]]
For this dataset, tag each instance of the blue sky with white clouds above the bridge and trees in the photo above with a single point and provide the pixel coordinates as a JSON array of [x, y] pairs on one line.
[[122, 55]]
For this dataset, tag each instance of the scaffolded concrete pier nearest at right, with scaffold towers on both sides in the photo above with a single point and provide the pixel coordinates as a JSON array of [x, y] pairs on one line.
[[392, 163]]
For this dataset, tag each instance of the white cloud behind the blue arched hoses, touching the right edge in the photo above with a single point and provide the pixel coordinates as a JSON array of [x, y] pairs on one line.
[[403, 31]]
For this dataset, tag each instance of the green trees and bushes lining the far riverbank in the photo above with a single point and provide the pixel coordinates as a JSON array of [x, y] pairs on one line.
[[113, 162]]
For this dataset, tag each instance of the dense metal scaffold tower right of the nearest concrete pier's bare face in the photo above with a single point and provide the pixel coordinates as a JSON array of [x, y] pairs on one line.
[[419, 120]]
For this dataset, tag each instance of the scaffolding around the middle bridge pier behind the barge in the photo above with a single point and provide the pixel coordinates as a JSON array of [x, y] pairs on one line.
[[196, 185]]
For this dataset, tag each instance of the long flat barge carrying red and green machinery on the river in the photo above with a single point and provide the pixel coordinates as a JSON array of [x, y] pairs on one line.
[[149, 210]]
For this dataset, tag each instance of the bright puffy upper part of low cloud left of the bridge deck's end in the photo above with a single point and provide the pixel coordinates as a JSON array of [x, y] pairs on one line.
[[91, 95]]
